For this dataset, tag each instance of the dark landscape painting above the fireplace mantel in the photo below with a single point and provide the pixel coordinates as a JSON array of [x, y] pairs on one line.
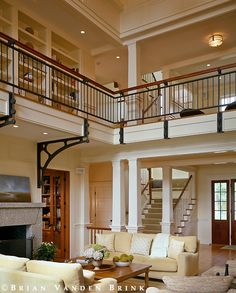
[[14, 189]]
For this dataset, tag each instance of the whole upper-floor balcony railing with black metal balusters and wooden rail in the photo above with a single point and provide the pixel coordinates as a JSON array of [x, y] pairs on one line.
[[36, 76]]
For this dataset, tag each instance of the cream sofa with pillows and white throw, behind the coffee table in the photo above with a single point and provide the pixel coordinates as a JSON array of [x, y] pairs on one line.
[[178, 256]]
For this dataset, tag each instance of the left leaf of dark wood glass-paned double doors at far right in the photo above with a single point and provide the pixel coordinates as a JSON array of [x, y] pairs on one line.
[[220, 212]]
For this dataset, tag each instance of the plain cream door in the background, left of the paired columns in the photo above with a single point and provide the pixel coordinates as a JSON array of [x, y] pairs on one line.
[[101, 204]]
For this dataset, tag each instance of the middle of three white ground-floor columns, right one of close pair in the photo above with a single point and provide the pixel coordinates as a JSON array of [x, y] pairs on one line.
[[135, 220]]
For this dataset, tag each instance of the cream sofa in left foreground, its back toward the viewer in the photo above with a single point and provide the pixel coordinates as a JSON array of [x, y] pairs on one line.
[[23, 275]]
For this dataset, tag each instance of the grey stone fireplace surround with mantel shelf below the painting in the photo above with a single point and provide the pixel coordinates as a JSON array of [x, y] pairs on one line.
[[23, 213]]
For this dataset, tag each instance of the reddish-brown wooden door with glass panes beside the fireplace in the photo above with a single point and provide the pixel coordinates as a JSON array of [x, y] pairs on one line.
[[55, 193]]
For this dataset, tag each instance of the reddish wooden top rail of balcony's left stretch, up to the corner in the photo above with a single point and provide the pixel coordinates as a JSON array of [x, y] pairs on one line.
[[54, 62]]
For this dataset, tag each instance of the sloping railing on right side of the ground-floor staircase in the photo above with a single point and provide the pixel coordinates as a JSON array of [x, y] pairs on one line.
[[182, 204]]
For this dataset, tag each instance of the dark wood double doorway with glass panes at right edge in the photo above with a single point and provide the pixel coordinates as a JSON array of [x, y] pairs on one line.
[[224, 212]]
